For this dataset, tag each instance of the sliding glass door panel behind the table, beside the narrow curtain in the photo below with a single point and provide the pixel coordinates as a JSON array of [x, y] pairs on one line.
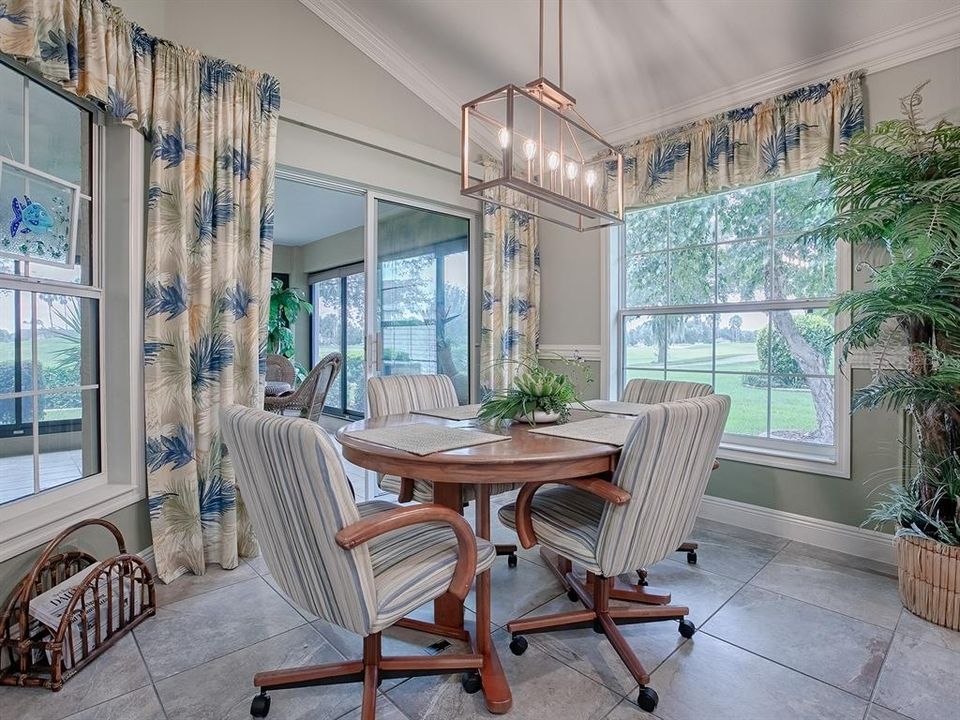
[[422, 290]]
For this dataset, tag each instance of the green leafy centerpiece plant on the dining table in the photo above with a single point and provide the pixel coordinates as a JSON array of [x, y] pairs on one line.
[[538, 395]]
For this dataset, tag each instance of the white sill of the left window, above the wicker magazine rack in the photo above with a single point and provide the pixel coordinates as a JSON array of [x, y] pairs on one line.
[[34, 521]]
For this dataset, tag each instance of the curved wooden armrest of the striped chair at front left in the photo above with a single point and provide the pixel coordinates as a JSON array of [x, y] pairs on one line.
[[370, 527]]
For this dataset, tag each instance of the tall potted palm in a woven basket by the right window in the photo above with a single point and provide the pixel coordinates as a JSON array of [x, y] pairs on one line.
[[897, 191]]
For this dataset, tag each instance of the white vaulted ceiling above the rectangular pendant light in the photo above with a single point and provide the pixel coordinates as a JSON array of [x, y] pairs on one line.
[[637, 64]]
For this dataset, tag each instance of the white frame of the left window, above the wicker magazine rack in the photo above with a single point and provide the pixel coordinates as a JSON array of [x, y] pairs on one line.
[[118, 166]]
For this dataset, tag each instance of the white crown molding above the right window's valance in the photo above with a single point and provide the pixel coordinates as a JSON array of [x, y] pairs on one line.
[[922, 38]]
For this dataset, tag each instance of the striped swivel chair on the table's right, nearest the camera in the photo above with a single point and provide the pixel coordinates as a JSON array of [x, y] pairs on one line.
[[635, 520]]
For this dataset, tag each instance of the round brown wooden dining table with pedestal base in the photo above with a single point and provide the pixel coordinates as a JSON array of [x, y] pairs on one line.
[[526, 457]]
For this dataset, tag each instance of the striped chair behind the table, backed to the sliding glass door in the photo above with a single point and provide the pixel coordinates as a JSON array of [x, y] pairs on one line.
[[396, 394]]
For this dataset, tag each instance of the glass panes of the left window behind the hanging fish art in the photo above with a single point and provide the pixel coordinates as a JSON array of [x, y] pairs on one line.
[[50, 422]]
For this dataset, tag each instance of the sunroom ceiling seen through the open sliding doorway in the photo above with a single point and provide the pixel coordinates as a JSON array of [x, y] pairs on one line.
[[304, 213]]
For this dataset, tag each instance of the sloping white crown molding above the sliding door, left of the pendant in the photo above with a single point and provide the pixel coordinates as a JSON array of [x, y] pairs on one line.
[[379, 48]]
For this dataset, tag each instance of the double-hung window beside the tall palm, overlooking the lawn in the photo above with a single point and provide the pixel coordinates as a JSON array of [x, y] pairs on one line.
[[718, 290]]
